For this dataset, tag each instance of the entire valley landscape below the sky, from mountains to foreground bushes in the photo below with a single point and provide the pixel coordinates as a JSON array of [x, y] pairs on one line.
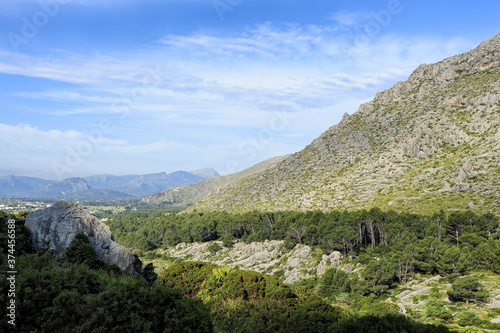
[[389, 221]]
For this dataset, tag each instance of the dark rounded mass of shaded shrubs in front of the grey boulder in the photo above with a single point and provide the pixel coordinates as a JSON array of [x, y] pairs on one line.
[[78, 299]]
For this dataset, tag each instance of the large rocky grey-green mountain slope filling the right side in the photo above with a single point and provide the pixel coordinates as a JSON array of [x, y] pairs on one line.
[[429, 143]]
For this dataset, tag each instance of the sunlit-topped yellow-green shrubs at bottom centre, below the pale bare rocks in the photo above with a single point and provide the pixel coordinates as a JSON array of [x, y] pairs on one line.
[[246, 301]]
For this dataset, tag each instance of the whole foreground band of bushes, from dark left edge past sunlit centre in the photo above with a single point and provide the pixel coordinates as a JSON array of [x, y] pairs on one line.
[[80, 293]]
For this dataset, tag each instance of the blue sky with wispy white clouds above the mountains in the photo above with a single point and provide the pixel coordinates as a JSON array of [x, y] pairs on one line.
[[143, 86]]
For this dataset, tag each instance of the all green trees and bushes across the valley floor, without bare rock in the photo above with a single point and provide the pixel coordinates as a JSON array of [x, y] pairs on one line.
[[80, 293]]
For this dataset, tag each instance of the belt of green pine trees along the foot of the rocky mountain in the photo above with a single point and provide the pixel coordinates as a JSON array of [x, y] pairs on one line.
[[444, 243]]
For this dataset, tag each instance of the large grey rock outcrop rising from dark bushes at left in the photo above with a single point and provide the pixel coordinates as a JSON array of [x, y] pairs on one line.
[[53, 229]]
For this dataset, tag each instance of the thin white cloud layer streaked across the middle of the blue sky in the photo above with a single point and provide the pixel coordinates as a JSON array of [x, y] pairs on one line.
[[223, 87]]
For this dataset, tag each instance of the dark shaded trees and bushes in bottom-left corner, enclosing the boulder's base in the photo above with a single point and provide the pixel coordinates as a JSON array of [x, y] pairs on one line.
[[80, 293]]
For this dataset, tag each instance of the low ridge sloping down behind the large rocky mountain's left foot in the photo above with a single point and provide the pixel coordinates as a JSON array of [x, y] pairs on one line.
[[188, 195]]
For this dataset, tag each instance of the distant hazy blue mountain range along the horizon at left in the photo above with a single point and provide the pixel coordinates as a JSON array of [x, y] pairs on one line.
[[100, 187]]
